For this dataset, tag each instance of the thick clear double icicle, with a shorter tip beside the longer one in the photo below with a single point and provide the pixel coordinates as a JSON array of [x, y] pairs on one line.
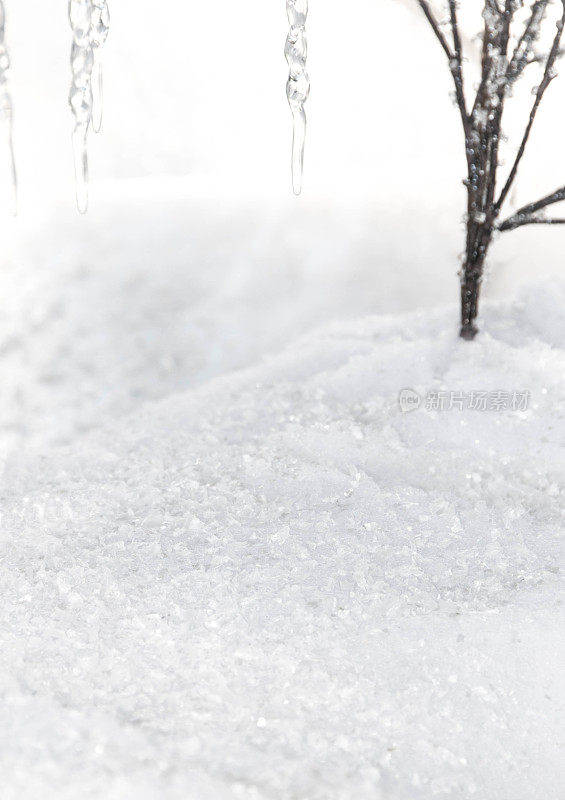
[[90, 23]]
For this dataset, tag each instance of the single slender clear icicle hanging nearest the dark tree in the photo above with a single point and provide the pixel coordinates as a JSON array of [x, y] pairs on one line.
[[298, 86]]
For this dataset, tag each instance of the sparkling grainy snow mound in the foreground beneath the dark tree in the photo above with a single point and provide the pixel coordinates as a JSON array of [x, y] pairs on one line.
[[280, 585]]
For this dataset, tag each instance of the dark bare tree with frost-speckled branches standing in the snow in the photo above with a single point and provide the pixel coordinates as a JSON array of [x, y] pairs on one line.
[[501, 65]]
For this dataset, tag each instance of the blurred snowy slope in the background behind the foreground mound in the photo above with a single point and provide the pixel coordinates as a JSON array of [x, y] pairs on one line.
[[166, 286]]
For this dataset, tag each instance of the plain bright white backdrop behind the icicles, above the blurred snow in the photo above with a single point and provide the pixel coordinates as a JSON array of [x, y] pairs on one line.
[[198, 88]]
